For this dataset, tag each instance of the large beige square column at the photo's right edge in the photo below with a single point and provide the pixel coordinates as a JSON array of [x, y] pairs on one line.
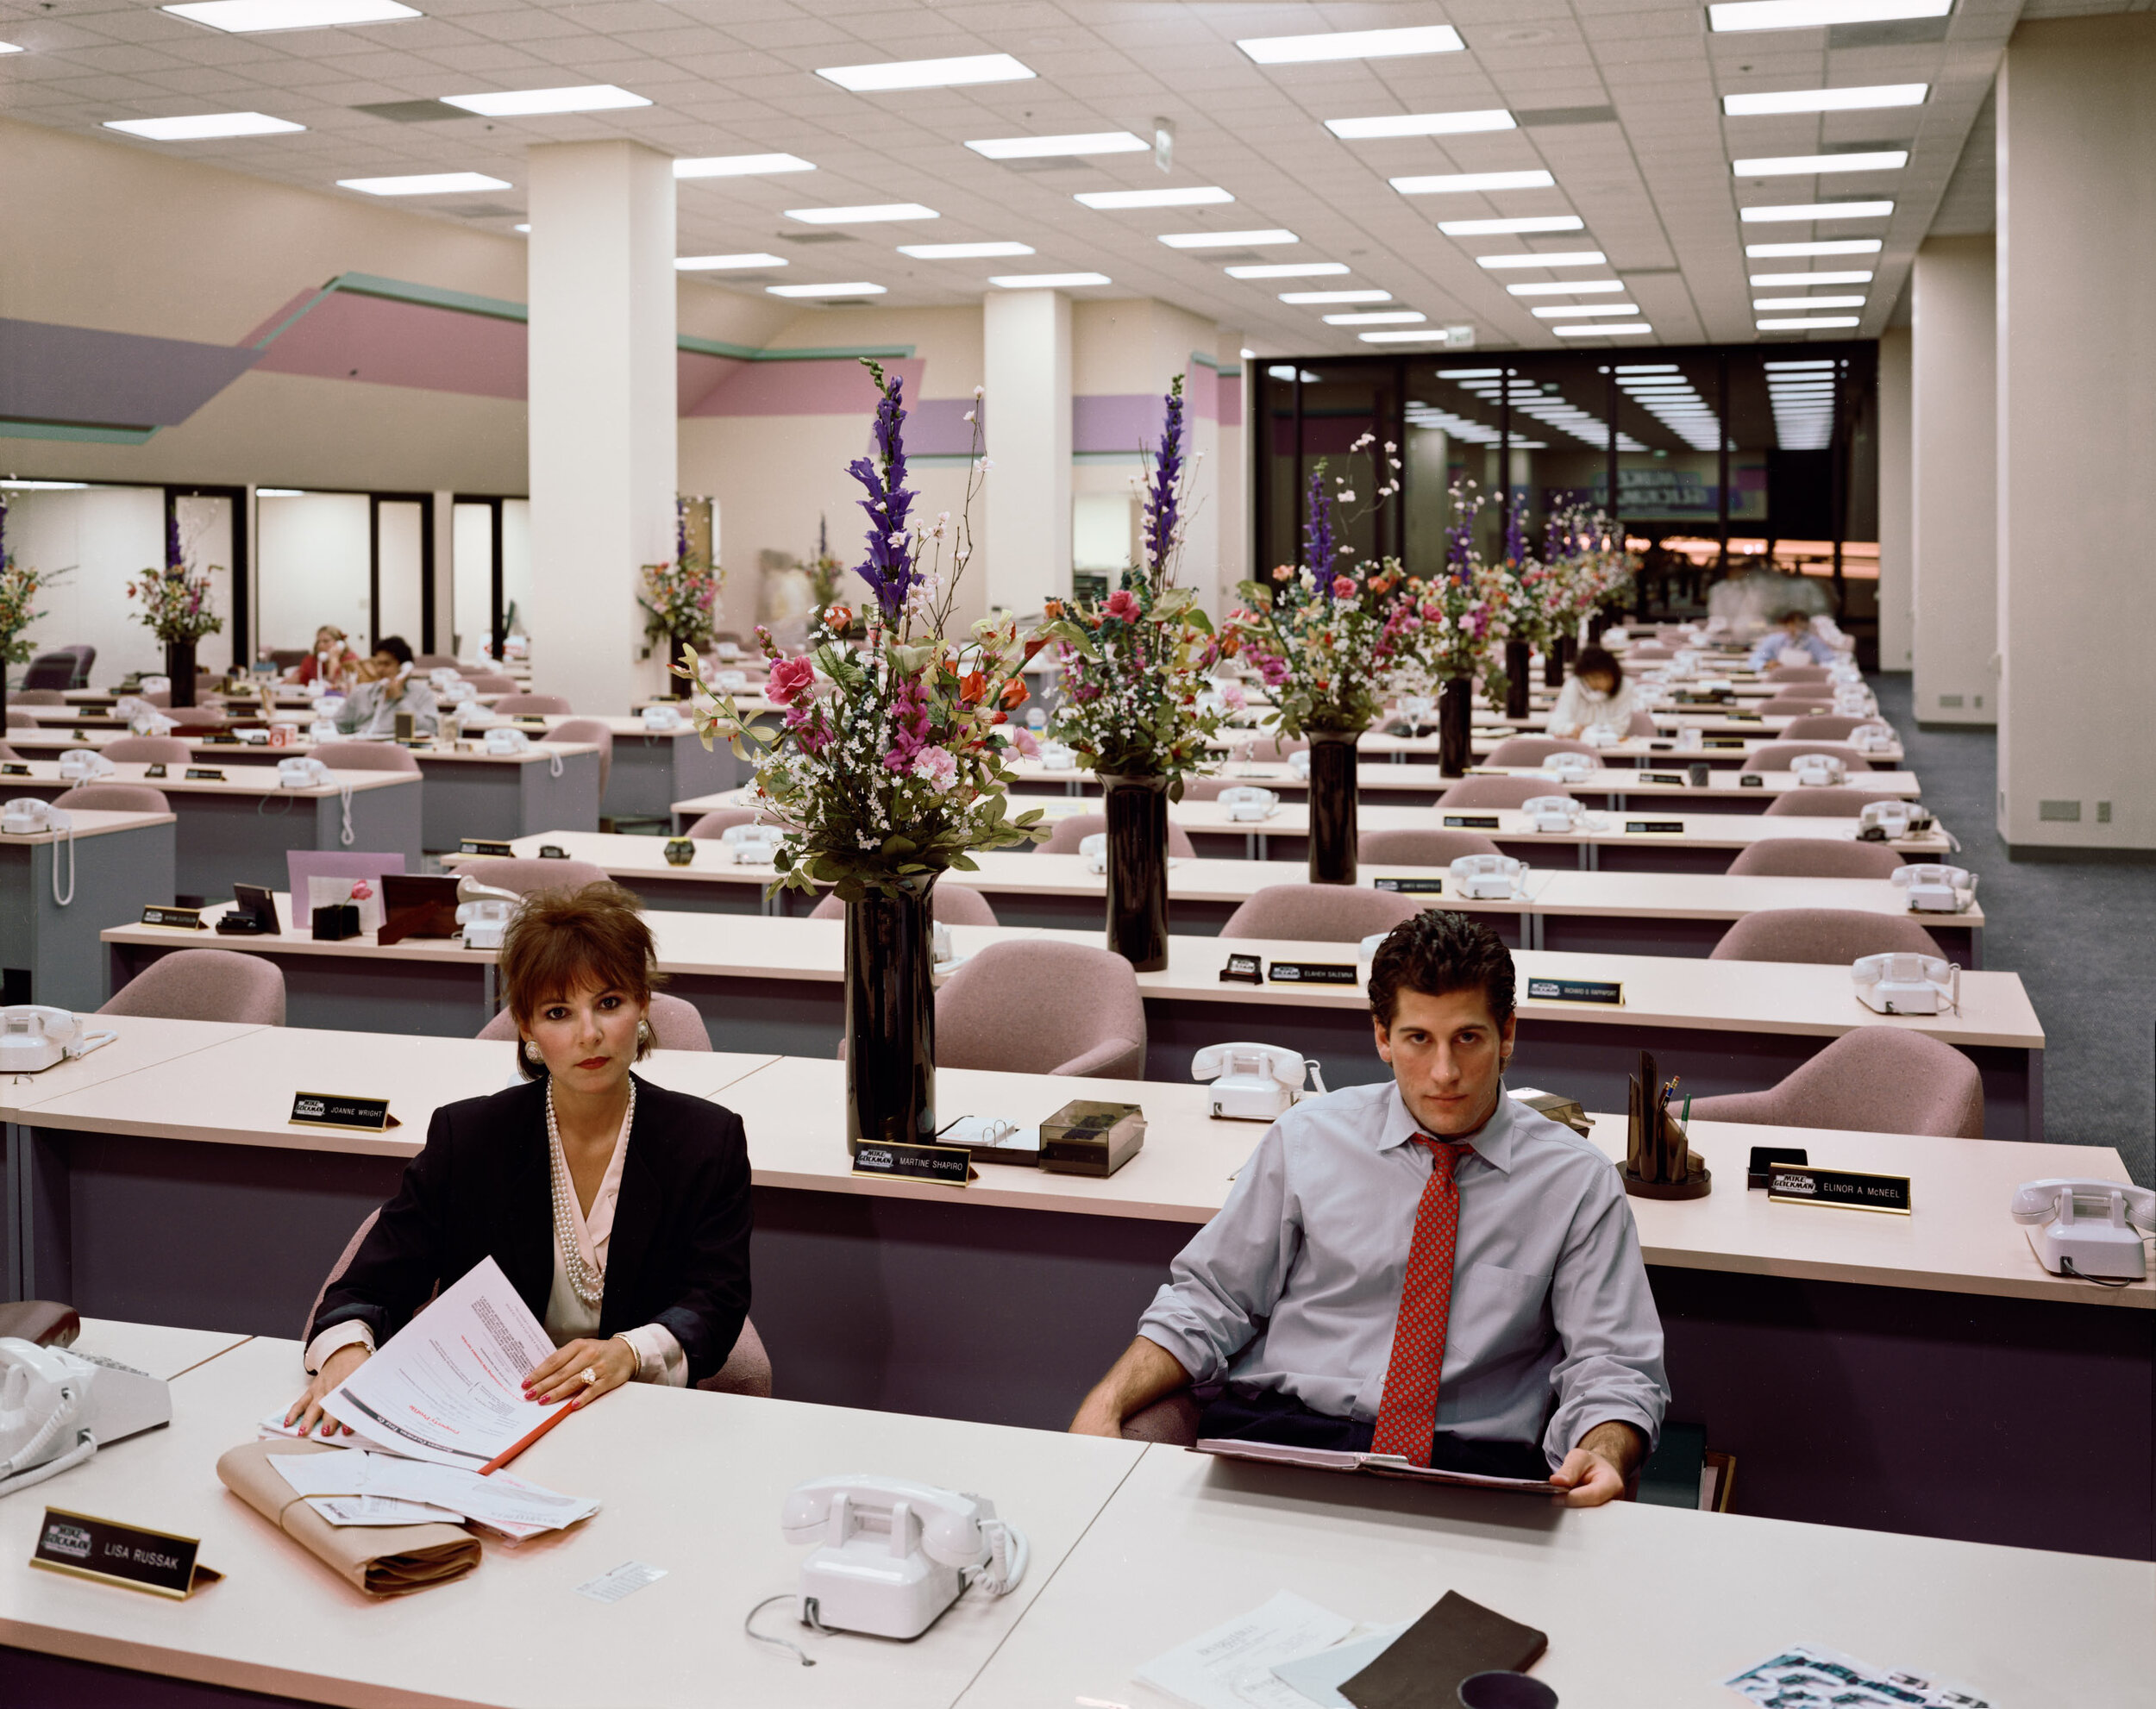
[[2077, 423]]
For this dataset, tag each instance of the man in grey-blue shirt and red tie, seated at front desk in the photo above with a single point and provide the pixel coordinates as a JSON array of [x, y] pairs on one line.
[[1424, 1266]]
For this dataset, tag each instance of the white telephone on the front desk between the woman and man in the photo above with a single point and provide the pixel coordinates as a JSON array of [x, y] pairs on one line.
[[894, 1555]]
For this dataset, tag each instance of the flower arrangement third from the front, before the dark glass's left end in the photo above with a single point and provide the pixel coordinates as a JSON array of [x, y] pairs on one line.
[[1323, 635]]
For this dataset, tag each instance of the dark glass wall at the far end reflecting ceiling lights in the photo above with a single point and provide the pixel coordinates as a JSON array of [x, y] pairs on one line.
[[1715, 460]]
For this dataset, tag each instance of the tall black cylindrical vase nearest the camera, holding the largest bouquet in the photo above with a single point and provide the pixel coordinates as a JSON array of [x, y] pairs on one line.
[[889, 1018]]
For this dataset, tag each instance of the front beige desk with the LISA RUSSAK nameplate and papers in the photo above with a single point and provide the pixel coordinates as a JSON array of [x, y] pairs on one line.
[[689, 1482]]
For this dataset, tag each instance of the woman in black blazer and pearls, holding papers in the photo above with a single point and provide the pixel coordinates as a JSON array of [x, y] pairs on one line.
[[616, 1208]]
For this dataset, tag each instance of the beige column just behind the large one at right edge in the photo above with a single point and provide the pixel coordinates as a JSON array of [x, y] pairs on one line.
[[1954, 523]]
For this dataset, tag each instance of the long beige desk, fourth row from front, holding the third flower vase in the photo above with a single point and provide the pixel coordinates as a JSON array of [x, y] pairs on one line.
[[1625, 913]]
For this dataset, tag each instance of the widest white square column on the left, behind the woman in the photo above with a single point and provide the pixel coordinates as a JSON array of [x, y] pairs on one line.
[[603, 413]]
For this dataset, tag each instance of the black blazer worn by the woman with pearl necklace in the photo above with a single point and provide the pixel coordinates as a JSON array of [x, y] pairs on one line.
[[484, 1189]]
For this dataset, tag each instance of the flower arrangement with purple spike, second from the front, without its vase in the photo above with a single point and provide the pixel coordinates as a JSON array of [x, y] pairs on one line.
[[1135, 701]]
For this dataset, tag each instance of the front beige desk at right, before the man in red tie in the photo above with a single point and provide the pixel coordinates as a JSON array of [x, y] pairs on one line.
[[1189, 1544]]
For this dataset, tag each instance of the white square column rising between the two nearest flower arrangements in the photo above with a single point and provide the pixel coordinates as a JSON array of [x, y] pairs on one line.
[[1027, 374]]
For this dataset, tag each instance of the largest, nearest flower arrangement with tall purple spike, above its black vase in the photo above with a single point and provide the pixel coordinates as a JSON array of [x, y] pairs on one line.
[[889, 764]]
